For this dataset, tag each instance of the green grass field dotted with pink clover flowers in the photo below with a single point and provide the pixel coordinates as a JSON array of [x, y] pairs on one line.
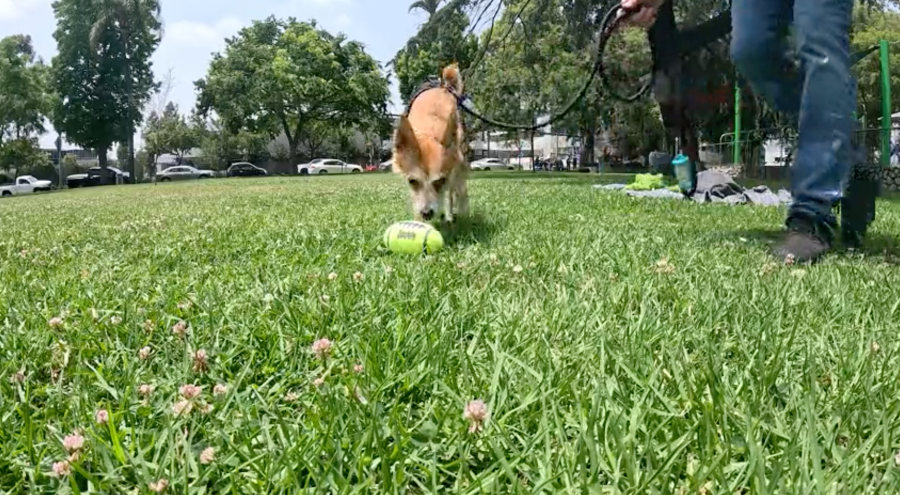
[[618, 345]]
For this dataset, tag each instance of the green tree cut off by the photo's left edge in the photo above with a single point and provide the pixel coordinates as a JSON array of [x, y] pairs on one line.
[[24, 103]]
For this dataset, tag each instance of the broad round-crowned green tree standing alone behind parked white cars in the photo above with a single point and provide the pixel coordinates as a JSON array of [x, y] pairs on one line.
[[283, 76]]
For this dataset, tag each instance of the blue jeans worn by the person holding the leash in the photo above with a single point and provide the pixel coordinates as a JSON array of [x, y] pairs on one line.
[[819, 90]]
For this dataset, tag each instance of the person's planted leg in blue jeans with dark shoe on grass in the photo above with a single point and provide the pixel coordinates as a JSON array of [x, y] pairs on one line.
[[819, 174]]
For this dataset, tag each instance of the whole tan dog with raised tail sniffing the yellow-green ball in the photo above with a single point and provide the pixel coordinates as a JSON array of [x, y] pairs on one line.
[[430, 151]]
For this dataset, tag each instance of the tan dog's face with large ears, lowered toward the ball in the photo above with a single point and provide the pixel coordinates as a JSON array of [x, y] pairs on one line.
[[426, 163]]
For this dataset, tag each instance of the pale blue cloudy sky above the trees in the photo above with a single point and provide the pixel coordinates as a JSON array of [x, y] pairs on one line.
[[194, 29]]
